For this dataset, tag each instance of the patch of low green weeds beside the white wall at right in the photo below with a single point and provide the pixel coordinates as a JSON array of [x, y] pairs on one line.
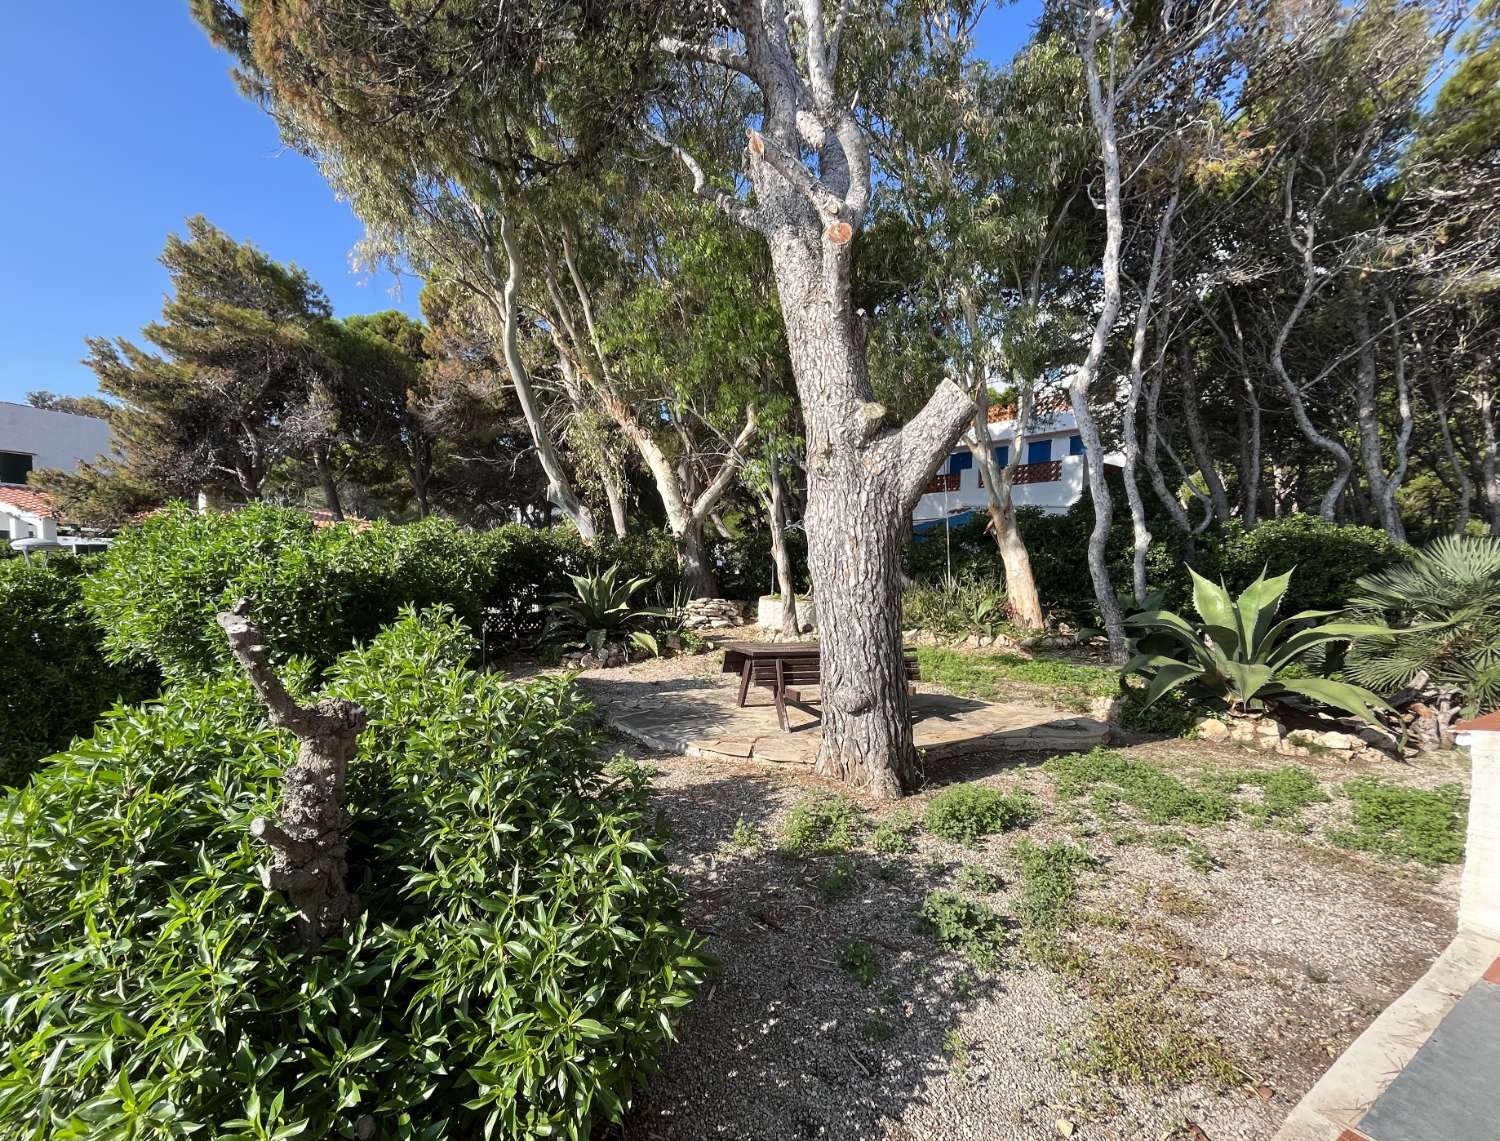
[[1423, 825]]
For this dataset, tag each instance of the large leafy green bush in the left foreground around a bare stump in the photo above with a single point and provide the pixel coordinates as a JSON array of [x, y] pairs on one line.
[[517, 911]]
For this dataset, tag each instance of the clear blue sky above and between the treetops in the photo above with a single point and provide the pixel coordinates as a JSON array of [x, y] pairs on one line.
[[121, 121]]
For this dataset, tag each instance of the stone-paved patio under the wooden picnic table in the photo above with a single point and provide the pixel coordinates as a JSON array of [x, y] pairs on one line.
[[697, 716]]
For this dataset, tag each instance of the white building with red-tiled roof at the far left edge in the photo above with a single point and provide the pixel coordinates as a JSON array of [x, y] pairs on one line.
[[35, 439]]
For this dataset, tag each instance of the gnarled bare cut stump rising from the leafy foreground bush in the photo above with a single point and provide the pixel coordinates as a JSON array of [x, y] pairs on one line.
[[307, 842]]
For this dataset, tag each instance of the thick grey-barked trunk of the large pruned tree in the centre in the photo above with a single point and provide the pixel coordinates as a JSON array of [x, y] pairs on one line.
[[863, 478]]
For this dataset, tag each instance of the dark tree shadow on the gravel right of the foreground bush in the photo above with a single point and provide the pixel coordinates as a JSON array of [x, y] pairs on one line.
[[784, 1041]]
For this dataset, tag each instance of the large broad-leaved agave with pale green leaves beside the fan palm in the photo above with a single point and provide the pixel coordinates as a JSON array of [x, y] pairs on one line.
[[1240, 657]]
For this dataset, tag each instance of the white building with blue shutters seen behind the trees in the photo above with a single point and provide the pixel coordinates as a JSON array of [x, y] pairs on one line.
[[1051, 476]]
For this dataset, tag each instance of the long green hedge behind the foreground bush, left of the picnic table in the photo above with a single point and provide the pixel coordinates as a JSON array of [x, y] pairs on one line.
[[319, 591]]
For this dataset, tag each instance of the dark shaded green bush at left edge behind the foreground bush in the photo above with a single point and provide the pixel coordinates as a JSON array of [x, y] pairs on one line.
[[55, 680]]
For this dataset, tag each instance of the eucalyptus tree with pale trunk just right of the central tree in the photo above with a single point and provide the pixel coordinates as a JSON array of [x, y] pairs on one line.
[[985, 173]]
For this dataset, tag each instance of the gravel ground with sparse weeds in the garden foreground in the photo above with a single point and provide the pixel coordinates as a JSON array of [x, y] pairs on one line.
[[1273, 963]]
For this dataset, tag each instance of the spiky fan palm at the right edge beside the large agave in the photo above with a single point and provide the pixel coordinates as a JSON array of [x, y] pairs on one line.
[[1445, 611]]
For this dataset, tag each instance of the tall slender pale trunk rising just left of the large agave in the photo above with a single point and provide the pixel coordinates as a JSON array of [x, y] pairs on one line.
[[1102, 112]]
